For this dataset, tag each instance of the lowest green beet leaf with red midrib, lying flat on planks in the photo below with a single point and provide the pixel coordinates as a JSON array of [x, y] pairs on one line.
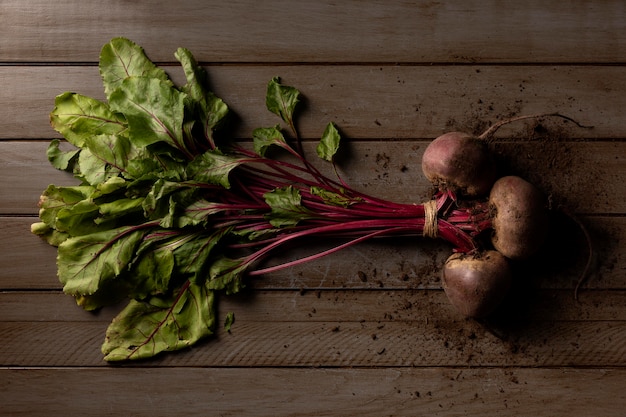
[[145, 328]]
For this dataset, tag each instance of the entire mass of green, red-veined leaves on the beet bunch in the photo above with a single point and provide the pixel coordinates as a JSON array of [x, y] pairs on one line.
[[155, 201]]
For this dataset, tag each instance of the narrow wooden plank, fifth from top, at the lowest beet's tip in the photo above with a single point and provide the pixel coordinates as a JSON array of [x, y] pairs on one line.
[[349, 305]]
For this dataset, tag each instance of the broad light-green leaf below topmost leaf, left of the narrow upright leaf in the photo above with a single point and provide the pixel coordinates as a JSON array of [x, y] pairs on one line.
[[154, 110]]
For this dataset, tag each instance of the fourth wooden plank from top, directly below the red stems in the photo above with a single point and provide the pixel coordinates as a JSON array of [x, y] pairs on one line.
[[29, 263]]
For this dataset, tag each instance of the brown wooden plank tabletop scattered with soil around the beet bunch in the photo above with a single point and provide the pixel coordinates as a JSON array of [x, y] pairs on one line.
[[367, 331]]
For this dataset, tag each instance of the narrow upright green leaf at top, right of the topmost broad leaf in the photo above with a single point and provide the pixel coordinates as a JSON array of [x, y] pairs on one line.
[[211, 109]]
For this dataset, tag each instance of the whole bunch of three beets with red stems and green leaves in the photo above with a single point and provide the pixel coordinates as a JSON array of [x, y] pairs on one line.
[[170, 210]]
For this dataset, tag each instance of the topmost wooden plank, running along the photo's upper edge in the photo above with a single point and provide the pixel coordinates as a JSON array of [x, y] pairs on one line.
[[352, 31]]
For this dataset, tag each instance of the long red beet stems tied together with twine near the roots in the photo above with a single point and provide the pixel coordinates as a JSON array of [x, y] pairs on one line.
[[363, 217]]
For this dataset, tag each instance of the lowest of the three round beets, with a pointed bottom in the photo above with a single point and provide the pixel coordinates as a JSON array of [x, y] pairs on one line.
[[476, 284]]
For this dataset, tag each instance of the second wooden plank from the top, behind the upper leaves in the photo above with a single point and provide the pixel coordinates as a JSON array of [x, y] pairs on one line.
[[366, 101]]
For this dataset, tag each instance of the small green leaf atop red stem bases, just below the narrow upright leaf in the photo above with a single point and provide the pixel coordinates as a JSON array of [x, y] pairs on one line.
[[213, 167]]
